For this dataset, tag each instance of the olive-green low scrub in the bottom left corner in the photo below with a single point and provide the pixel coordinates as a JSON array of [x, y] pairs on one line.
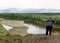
[[11, 39]]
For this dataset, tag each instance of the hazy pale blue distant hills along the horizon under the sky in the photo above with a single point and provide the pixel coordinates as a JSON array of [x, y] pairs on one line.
[[30, 10]]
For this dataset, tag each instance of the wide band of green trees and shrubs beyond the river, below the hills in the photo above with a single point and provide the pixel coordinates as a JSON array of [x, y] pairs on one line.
[[35, 18]]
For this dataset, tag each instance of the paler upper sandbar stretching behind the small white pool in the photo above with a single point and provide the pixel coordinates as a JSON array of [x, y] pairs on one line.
[[13, 23]]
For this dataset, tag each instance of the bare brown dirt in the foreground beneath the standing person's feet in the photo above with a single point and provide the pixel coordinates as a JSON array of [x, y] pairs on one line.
[[42, 39]]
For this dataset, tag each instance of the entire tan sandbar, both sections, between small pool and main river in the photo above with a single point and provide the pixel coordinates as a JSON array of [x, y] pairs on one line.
[[18, 27]]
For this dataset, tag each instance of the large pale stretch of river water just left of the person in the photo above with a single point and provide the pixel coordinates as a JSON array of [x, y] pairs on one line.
[[35, 29]]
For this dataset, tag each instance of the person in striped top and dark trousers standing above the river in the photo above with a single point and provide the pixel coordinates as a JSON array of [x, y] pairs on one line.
[[49, 25]]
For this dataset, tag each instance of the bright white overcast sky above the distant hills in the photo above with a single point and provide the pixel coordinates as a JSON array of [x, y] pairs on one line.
[[39, 4]]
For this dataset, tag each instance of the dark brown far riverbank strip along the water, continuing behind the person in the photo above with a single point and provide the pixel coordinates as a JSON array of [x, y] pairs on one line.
[[55, 28]]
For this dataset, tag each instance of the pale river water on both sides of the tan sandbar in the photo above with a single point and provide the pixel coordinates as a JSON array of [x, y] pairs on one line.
[[32, 29]]
